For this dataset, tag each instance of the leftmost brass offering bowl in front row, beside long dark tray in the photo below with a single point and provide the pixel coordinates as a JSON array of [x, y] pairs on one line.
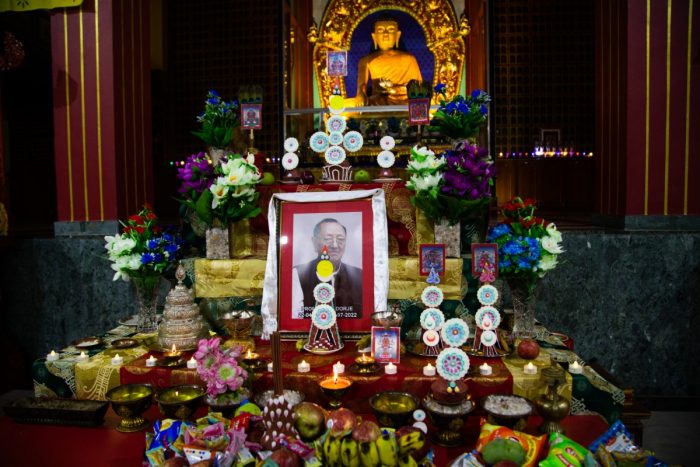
[[130, 401]]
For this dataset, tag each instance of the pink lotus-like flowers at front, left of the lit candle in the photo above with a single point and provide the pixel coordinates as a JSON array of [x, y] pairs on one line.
[[219, 369]]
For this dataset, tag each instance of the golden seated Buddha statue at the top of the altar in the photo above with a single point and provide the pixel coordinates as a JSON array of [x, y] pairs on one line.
[[388, 69]]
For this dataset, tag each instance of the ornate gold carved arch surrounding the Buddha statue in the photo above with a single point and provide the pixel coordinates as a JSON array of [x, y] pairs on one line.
[[444, 37]]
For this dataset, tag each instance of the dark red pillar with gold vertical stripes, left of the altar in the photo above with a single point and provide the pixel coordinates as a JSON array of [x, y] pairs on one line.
[[102, 109]]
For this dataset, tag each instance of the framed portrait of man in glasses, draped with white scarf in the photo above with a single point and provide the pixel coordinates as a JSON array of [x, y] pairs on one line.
[[313, 231]]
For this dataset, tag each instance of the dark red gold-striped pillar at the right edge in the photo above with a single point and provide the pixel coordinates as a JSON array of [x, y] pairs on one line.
[[647, 87]]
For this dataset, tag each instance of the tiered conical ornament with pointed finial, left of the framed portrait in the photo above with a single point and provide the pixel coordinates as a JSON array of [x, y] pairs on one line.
[[182, 324]]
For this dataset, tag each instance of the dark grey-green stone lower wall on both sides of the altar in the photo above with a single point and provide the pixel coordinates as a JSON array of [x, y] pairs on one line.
[[629, 301]]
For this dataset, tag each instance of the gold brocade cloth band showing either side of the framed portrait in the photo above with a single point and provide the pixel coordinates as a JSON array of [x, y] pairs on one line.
[[244, 277]]
